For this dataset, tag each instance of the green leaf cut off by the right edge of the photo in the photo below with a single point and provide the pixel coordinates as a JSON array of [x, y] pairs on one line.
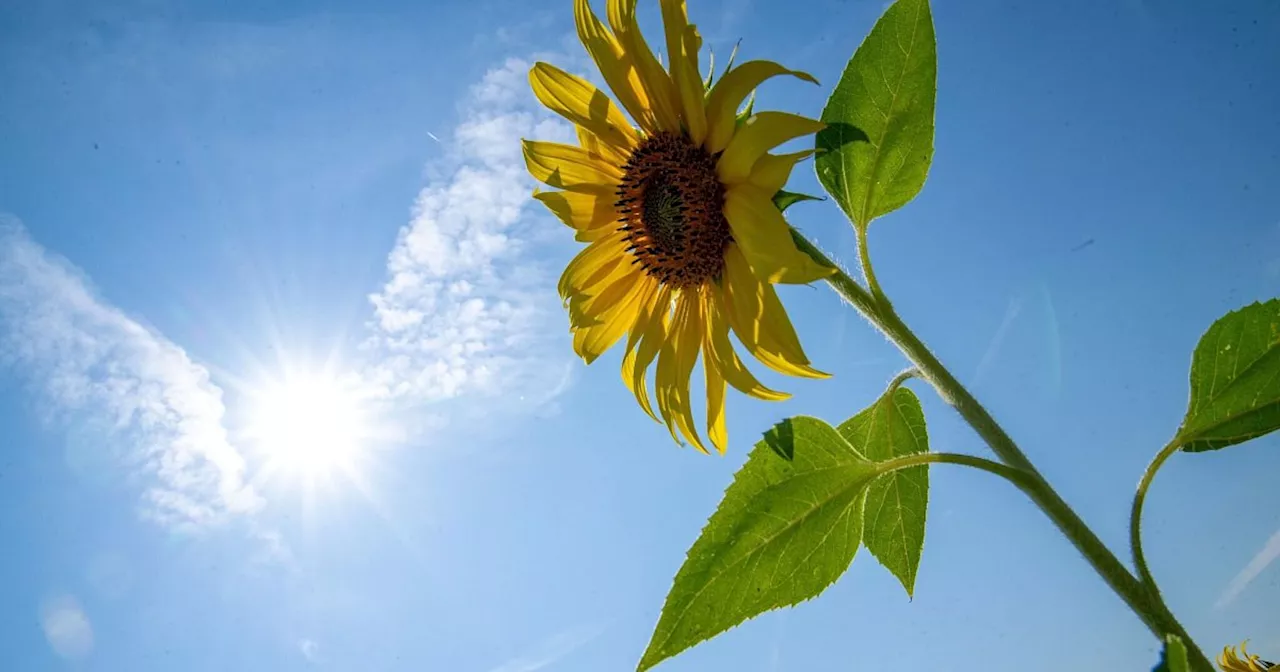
[[1236, 381]]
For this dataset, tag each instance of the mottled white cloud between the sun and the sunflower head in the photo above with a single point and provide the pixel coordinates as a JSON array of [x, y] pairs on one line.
[[467, 307]]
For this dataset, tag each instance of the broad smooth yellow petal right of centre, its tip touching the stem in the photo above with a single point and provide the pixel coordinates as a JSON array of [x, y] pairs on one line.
[[766, 240]]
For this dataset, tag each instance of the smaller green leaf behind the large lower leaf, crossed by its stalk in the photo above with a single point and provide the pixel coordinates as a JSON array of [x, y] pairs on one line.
[[897, 504]]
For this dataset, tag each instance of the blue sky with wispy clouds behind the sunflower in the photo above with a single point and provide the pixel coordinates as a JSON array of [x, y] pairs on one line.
[[205, 202]]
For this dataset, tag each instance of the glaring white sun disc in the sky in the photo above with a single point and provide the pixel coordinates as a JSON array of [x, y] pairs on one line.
[[309, 426]]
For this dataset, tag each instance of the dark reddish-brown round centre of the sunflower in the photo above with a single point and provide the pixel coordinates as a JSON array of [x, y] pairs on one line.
[[671, 205]]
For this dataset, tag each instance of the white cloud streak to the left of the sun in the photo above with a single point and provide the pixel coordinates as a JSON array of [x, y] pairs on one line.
[[143, 400]]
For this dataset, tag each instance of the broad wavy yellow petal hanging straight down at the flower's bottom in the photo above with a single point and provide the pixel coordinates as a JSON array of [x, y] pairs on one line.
[[676, 365]]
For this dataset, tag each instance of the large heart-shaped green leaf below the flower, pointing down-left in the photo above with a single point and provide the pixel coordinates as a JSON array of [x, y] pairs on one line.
[[785, 532]]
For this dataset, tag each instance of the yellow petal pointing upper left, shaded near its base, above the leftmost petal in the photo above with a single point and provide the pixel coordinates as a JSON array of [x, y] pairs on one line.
[[577, 100]]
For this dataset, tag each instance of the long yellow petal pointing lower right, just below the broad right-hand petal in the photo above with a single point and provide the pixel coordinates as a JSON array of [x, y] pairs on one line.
[[761, 322]]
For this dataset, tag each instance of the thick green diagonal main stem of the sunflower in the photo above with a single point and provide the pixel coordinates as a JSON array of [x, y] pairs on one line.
[[881, 314]]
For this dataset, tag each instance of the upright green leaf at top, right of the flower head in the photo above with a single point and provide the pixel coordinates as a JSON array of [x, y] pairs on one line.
[[875, 154]]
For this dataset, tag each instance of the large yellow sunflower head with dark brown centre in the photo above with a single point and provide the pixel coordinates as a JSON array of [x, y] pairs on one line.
[[684, 241]]
